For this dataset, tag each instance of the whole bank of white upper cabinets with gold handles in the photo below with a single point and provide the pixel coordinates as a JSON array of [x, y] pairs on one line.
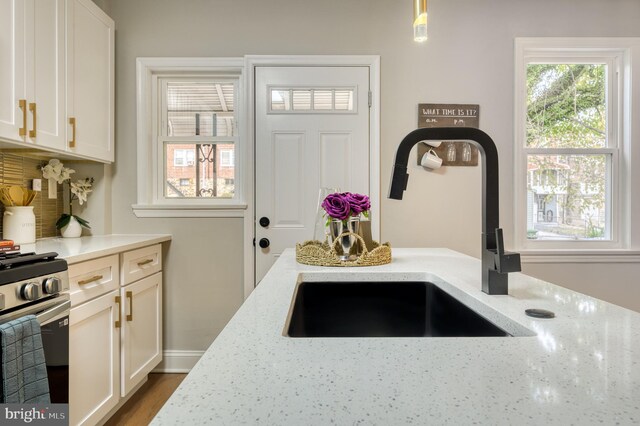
[[57, 77]]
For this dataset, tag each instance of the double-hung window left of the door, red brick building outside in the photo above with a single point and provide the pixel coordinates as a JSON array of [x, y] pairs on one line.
[[197, 135]]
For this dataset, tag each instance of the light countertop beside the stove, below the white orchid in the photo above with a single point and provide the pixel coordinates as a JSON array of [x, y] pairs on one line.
[[75, 250]]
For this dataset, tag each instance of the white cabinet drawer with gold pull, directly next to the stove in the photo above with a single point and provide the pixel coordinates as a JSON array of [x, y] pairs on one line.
[[93, 278]]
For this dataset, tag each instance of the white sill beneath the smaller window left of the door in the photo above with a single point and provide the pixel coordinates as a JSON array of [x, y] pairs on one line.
[[161, 210]]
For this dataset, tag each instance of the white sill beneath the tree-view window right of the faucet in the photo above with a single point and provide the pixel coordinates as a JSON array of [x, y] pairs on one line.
[[580, 256]]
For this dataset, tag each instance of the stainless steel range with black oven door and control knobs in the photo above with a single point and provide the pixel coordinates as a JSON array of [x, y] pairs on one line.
[[32, 284]]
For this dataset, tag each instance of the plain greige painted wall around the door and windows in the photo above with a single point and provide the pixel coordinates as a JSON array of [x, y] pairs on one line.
[[468, 59]]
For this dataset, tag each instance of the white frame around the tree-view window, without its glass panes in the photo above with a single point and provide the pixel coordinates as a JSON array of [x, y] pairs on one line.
[[623, 69]]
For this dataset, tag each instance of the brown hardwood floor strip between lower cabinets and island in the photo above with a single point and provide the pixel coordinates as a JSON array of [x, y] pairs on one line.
[[146, 403]]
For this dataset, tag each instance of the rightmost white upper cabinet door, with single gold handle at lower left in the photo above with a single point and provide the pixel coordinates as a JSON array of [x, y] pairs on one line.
[[90, 81]]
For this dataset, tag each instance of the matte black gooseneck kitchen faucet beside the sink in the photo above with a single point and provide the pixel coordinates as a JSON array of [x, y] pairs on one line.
[[496, 263]]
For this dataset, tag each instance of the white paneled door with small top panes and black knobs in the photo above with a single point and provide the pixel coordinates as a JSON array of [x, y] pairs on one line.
[[312, 132]]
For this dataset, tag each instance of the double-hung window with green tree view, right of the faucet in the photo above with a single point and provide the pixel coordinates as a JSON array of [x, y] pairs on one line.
[[572, 138]]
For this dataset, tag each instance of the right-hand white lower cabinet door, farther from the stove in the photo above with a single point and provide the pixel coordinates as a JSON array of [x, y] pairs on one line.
[[142, 330]]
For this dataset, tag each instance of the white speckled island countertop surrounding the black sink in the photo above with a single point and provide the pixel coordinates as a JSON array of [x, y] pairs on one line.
[[583, 367]]
